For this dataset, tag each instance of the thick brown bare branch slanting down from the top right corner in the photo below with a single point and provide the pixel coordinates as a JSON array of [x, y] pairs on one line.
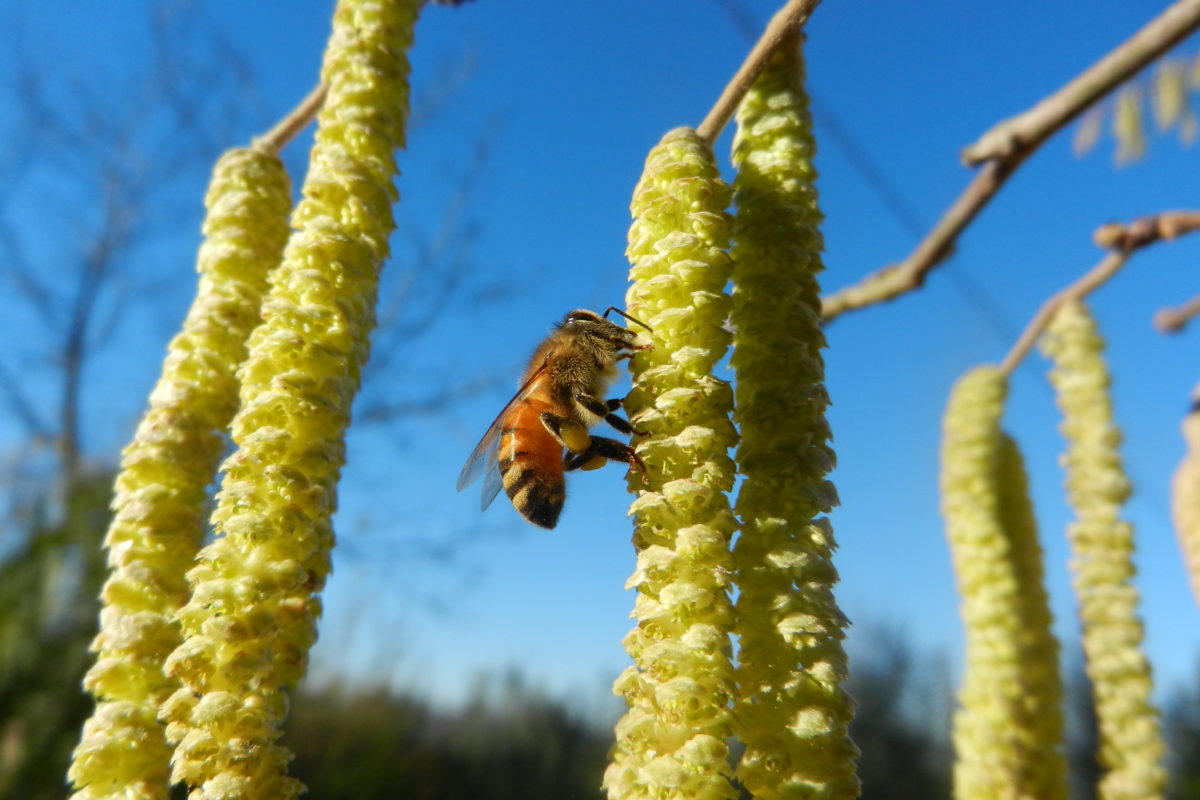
[[1006, 147]]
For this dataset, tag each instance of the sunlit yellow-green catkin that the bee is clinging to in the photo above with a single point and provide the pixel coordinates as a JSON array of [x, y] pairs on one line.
[[671, 742]]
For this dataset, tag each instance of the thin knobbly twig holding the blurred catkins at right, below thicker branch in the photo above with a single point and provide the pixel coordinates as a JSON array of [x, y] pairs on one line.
[[1124, 242]]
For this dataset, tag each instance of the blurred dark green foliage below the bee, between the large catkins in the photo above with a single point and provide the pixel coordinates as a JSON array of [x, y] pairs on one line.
[[515, 743]]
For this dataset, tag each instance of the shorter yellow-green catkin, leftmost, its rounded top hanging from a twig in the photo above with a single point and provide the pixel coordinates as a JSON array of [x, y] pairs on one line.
[[161, 491]]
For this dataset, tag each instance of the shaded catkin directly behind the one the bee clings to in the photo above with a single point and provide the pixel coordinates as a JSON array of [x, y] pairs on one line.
[[793, 713]]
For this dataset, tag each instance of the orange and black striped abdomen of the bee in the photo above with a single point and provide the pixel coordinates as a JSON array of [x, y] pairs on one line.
[[531, 461]]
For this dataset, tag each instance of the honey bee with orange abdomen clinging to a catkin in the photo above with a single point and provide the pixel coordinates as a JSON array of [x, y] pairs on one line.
[[543, 432]]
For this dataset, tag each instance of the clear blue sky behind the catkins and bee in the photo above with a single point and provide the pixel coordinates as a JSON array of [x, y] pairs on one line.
[[574, 95]]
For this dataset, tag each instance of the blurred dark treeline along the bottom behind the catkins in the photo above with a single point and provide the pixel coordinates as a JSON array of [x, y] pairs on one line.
[[512, 741]]
